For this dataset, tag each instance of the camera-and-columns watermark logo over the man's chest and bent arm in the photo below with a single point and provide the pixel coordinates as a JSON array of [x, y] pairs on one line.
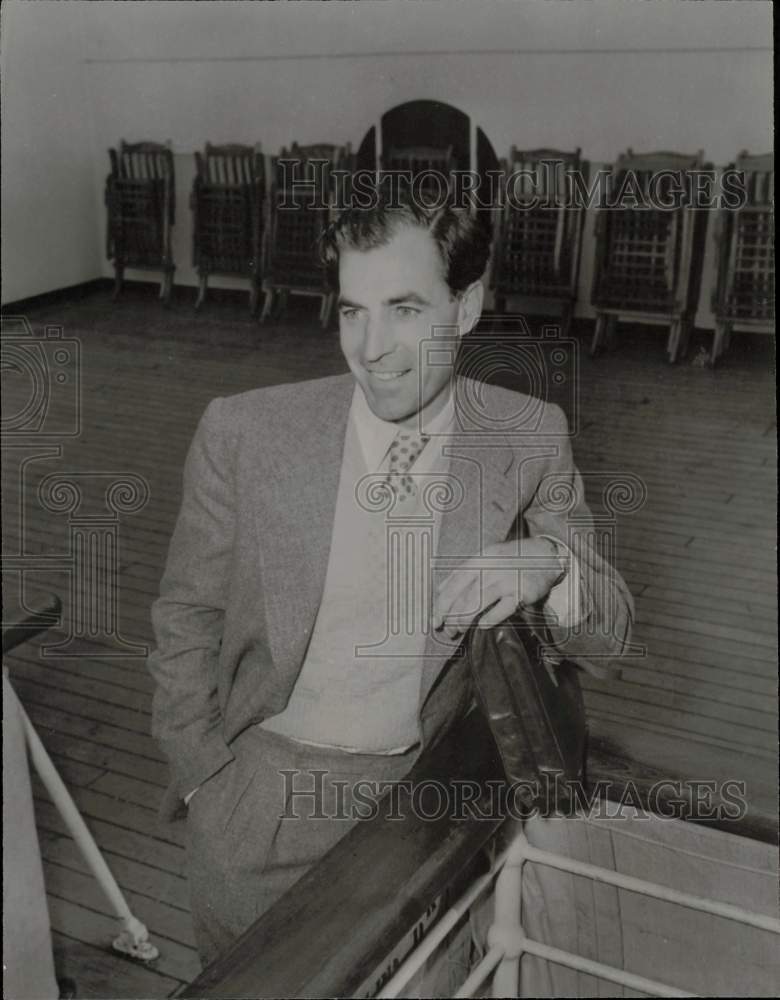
[[485, 466]]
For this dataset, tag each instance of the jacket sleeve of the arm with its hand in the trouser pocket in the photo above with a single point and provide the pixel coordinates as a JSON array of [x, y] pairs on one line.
[[189, 614]]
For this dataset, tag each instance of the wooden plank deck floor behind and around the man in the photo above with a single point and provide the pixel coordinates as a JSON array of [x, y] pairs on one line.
[[699, 557]]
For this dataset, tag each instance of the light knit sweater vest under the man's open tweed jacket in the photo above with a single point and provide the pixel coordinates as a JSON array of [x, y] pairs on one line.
[[359, 685]]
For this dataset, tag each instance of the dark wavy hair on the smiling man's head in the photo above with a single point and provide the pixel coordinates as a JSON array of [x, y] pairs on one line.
[[462, 237]]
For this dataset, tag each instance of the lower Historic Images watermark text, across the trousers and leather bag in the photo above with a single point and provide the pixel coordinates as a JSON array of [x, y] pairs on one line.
[[311, 794]]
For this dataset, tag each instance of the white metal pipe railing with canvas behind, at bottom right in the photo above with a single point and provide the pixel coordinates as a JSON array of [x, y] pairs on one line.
[[507, 941]]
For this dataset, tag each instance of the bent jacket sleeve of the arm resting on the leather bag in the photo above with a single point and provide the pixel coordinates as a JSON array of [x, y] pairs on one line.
[[558, 509]]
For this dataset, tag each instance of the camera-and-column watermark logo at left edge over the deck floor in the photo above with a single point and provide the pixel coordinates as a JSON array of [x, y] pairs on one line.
[[42, 414]]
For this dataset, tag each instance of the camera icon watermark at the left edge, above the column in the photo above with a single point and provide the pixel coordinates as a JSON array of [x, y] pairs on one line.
[[41, 381]]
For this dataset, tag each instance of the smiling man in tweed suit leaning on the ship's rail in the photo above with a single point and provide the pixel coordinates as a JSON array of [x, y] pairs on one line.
[[335, 540]]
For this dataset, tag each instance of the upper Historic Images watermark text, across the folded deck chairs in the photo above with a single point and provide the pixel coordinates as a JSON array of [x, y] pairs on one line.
[[317, 185]]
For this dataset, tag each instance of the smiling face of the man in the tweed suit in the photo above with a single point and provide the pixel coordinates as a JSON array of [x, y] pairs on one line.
[[392, 298]]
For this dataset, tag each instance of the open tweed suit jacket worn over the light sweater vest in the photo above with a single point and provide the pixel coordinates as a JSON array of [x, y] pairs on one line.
[[248, 557]]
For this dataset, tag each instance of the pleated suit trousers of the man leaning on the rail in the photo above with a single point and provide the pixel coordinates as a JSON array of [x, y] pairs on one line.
[[257, 825]]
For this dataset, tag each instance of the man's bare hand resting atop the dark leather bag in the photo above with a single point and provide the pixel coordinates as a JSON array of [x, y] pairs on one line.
[[495, 583]]
